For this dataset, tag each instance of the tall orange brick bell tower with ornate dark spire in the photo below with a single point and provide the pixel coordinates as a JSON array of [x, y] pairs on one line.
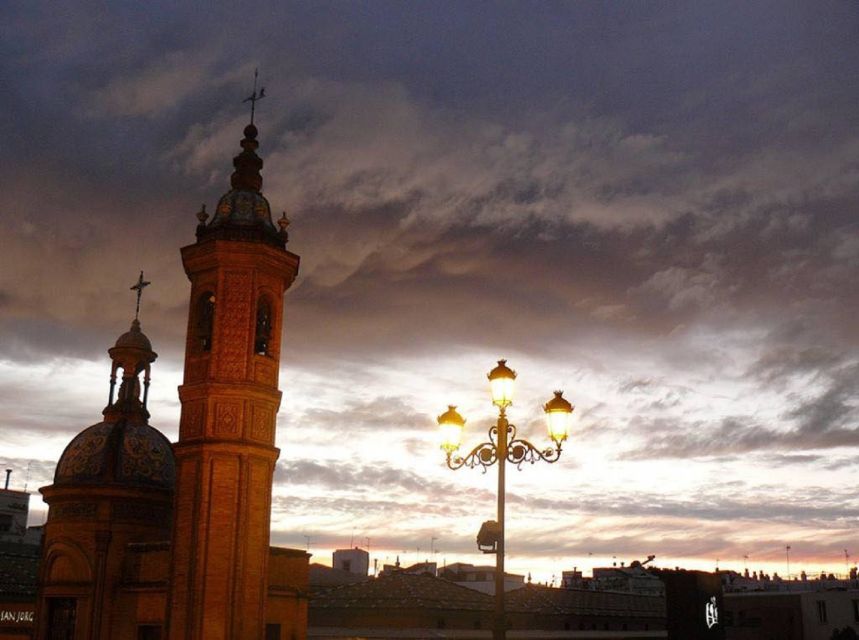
[[239, 270]]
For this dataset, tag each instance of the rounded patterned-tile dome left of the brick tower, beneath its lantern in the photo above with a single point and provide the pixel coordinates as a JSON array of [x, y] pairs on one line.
[[127, 452]]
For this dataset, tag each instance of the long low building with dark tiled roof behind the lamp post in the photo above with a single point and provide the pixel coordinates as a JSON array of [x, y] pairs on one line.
[[402, 605]]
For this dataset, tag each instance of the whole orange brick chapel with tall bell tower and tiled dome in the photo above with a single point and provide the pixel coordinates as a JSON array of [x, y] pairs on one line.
[[147, 540]]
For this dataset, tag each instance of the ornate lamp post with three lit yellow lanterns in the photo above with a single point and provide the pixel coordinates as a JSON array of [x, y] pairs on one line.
[[503, 446]]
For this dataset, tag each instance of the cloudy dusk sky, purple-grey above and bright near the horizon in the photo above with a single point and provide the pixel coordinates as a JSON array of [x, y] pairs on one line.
[[651, 206]]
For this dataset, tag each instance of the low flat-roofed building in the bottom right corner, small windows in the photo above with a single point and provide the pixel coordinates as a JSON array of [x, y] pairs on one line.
[[786, 615]]
